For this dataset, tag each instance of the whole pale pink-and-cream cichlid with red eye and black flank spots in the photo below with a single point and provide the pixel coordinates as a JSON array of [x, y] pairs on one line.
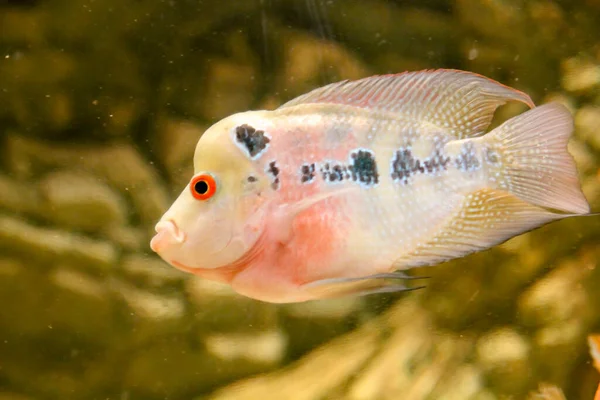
[[339, 190]]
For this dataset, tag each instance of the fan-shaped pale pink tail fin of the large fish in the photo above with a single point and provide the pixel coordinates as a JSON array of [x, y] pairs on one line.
[[528, 157]]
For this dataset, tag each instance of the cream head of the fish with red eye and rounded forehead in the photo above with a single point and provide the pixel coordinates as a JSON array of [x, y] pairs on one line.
[[221, 213]]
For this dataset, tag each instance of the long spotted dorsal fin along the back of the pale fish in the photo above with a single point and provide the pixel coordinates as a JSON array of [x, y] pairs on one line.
[[461, 102]]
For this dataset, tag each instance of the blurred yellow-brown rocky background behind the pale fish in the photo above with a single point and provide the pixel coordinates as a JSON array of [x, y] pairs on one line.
[[101, 105]]
